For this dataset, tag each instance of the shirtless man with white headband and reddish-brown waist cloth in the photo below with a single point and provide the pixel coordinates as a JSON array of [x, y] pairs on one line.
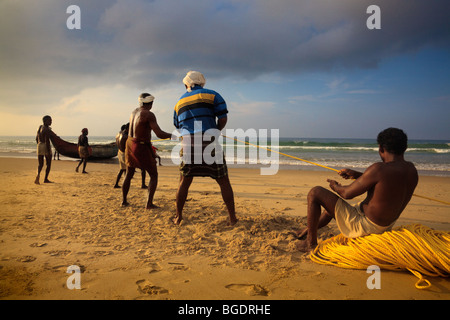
[[138, 149]]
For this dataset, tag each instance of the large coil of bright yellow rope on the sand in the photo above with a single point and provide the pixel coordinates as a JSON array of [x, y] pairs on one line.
[[417, 248]]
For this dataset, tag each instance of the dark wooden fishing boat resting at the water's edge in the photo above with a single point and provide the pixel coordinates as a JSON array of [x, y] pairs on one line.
[[96, 151]]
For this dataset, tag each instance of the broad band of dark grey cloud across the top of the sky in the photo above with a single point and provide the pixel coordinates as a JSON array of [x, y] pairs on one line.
[[149, 42]]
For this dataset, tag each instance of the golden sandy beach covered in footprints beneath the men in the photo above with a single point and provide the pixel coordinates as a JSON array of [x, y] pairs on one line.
[[134, 253]]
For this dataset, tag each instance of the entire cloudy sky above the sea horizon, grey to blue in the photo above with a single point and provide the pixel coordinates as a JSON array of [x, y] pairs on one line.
[[308, 68]]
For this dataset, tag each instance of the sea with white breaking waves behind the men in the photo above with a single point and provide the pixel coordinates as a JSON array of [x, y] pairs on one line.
[[431, 157]]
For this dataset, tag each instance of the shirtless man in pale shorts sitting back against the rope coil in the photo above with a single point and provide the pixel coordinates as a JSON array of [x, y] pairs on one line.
[[389, 185]]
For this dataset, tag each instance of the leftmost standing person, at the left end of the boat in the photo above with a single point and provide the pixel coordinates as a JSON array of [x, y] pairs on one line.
[[44, 149]]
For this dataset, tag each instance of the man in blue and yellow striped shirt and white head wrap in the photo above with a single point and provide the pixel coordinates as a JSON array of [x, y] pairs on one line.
[[200, 106]]
